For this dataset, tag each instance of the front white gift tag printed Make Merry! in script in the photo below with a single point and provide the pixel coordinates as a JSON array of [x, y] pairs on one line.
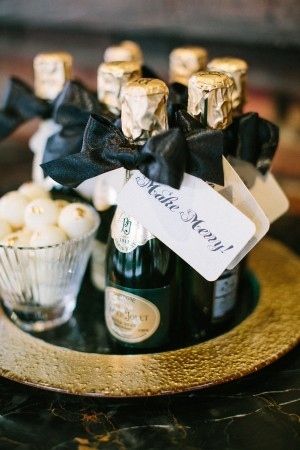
[[197, 223]]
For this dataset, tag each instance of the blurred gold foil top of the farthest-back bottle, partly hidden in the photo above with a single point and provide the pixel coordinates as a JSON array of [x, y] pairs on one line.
[[124, 51]]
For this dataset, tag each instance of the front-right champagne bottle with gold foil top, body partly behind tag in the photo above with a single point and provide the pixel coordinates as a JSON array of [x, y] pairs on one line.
[[209, 305]]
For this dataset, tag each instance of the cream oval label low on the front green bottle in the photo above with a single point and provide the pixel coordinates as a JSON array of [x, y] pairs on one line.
[[129, 317]]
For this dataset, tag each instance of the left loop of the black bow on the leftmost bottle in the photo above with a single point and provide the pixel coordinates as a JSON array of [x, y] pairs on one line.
[[19, 105]]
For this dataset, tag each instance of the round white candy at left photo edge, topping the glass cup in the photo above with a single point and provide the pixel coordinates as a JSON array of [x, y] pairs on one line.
[[12, 208]]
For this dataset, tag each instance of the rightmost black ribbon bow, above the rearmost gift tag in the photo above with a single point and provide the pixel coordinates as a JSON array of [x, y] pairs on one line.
[[252, 139]]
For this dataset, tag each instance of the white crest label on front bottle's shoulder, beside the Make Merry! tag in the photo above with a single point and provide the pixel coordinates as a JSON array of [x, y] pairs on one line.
[[128, 233]]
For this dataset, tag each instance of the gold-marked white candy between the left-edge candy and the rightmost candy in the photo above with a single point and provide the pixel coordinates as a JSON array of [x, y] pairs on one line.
[[41, 212]]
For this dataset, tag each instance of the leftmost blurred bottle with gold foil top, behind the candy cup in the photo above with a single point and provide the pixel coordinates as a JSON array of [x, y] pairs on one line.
[[51, 72]]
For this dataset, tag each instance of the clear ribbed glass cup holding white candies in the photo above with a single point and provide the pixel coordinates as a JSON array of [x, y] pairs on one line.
[[39, 285]]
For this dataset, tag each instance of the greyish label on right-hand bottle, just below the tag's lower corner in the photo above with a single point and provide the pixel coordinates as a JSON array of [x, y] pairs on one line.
[[225, 294]]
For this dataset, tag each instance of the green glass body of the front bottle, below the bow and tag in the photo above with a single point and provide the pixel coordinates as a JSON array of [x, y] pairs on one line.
[[140, 293]]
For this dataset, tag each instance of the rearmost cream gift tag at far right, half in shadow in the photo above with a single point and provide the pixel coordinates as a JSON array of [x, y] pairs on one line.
[[264, 189]]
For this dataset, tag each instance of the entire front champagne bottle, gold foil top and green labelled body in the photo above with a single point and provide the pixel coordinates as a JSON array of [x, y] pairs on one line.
[[140, 294]]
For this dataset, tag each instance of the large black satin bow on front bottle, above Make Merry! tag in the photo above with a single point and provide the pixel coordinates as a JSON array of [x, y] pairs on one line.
[[163, 158]]
